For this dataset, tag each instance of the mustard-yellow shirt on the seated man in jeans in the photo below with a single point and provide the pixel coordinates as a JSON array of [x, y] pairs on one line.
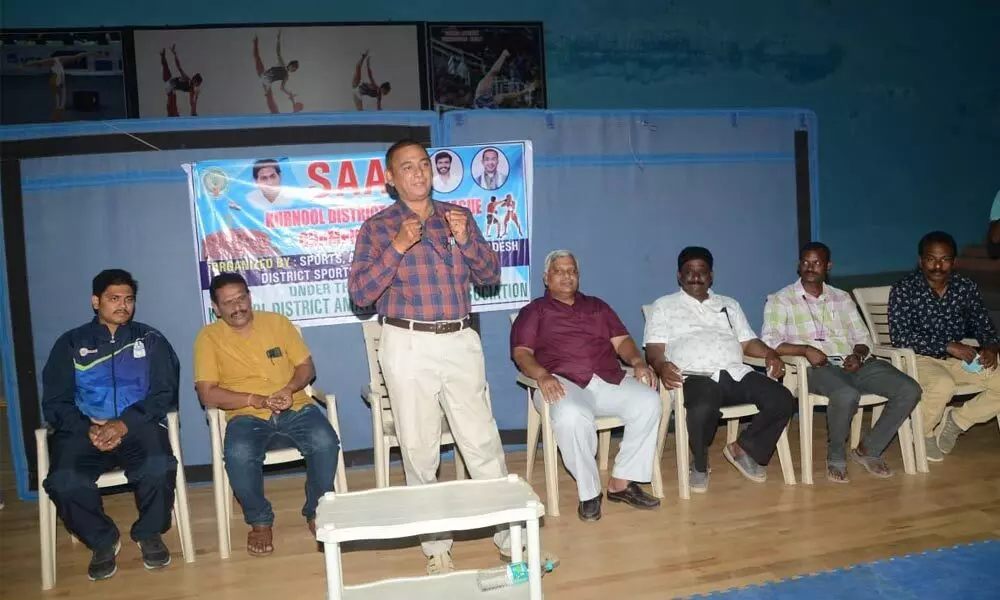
[[261, 363]]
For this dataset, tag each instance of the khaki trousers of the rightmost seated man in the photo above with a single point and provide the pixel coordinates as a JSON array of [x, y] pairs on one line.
[[938, 378]]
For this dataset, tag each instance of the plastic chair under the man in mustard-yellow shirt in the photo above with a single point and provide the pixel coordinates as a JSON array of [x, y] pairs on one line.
[[220, 478]]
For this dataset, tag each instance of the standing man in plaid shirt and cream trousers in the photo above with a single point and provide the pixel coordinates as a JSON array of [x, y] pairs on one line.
[[416, 261]]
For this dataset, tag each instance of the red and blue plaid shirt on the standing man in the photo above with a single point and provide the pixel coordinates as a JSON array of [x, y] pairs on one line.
[[431, 281]]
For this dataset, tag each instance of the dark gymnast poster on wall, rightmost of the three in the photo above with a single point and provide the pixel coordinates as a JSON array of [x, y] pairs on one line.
[[484, 65]]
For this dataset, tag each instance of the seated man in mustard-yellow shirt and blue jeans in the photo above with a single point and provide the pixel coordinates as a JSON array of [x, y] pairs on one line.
[[254, 366]]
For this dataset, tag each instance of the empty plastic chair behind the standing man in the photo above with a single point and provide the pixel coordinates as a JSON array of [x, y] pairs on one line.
[[383, 426]]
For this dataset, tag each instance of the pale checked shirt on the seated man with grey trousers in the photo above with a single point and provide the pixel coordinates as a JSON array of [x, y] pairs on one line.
[[830, 322]]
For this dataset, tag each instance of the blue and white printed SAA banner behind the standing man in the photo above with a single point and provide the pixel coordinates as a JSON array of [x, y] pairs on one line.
[[289, 225]]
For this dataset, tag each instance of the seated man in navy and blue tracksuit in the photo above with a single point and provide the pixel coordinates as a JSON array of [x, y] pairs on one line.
[[106, 390]]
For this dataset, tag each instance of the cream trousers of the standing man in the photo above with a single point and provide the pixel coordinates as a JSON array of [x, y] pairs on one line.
[[426, 373]]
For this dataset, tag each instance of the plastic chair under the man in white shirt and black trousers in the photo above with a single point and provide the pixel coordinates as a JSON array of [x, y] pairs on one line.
[[730, 414]]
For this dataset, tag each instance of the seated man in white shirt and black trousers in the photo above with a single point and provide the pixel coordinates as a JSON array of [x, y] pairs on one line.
[[695, 339]]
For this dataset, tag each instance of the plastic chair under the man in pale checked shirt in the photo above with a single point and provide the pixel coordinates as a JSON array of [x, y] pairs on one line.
[[797, 381]]
